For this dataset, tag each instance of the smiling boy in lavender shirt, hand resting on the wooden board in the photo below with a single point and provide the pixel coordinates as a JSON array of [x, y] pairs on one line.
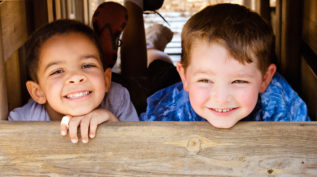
[[69, 78]]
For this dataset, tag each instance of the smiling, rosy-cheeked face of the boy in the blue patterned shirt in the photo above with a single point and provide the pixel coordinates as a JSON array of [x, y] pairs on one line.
[[221, 89]]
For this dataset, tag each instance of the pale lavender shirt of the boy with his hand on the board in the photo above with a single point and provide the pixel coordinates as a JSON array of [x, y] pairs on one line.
[[117, 101]]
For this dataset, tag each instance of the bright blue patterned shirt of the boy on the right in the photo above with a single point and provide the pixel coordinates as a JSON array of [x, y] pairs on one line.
[[278, 103]]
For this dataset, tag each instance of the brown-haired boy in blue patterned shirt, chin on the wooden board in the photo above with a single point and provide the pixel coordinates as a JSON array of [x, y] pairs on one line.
[[227, 73]]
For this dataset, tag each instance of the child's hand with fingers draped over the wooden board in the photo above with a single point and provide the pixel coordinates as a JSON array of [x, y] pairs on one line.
[[88, 122]]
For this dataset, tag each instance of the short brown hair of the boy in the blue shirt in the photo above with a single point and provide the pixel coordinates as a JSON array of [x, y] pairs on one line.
[[243, 32]]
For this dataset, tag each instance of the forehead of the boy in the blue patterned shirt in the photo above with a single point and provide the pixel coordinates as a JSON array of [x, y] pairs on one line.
[[213, 56]]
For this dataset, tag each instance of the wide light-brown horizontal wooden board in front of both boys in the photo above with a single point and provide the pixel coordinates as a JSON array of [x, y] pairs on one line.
[[161, 149]]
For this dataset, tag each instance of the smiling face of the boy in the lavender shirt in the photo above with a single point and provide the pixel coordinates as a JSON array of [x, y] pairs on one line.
[[70, 74]]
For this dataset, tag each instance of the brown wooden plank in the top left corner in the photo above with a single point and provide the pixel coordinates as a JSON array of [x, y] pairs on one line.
[[14, 27]]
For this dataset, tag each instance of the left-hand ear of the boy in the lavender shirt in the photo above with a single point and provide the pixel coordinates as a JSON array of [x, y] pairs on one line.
[[36, 92]]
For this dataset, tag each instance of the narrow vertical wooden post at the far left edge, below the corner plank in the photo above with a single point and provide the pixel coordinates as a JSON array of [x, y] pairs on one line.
[[3, 88]]
